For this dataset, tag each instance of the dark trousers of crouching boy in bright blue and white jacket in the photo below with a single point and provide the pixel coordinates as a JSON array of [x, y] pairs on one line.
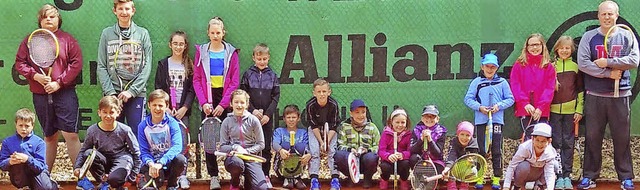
[[171, 171]]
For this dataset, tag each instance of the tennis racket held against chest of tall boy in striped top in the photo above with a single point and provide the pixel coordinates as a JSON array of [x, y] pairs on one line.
[[128, 63]]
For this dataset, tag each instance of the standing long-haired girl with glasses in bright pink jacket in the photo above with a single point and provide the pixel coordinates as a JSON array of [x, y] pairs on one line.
[[533, 82]]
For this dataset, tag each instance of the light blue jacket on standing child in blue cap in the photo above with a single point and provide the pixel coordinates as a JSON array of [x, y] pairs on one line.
[[479, 94]]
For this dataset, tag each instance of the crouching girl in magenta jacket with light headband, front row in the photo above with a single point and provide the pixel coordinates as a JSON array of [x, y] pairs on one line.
[[397, 123]]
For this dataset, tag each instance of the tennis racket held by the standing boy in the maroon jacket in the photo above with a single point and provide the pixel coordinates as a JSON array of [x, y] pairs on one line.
[[44, 49]]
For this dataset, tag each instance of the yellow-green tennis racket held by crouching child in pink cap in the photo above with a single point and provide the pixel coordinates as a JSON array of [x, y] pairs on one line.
[[468, 168]]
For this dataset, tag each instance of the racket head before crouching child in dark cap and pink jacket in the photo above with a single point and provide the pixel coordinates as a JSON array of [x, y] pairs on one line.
[[421, 171]]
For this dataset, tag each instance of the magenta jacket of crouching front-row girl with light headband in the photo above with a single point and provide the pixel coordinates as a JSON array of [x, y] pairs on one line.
[[386, 144]]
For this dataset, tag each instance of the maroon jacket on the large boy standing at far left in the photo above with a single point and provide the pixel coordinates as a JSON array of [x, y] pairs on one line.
[[65, 68]]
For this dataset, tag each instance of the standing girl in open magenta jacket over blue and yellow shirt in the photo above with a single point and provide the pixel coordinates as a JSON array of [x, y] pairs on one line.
[[216, 75]]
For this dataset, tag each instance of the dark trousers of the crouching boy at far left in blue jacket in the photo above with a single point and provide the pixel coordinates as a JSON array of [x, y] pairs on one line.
[[21, 176]]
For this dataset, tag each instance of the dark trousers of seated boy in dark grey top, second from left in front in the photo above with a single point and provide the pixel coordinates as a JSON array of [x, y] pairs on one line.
[[118, 168]]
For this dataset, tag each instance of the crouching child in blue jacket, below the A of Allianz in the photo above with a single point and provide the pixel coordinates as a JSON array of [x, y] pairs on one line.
[[281, 144]]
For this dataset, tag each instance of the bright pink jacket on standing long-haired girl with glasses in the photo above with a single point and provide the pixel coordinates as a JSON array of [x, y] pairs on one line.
[[533, 79]]
